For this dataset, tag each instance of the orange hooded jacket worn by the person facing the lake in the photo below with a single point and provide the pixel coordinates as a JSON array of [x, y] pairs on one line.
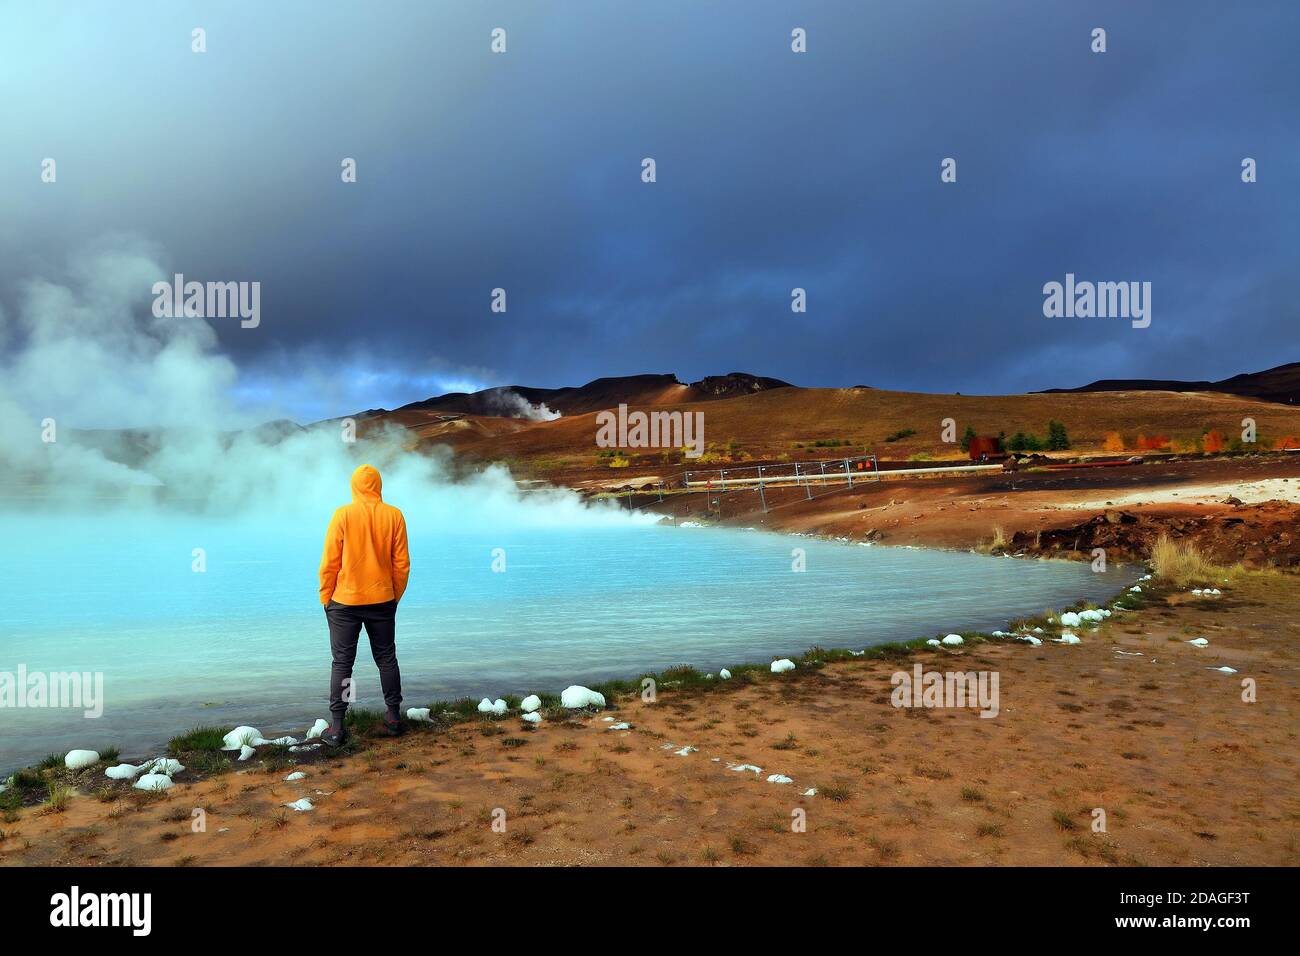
[[366, 556]]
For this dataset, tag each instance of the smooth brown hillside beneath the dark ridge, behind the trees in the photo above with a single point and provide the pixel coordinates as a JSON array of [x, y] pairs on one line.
[[773, 425]]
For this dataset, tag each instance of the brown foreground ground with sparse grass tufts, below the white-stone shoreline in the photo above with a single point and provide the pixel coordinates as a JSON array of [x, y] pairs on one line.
[[1134, 721]]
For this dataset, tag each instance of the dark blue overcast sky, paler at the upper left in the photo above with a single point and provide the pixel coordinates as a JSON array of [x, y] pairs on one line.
[[775, 170]]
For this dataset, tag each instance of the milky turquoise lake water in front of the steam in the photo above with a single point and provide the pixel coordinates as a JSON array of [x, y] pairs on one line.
[[245, 642]]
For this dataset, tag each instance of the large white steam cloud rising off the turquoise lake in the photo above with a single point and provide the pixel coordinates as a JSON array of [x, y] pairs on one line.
[[86, 352]]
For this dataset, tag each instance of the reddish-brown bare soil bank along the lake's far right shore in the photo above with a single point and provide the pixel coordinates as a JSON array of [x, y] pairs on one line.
[[1035, 511]]
